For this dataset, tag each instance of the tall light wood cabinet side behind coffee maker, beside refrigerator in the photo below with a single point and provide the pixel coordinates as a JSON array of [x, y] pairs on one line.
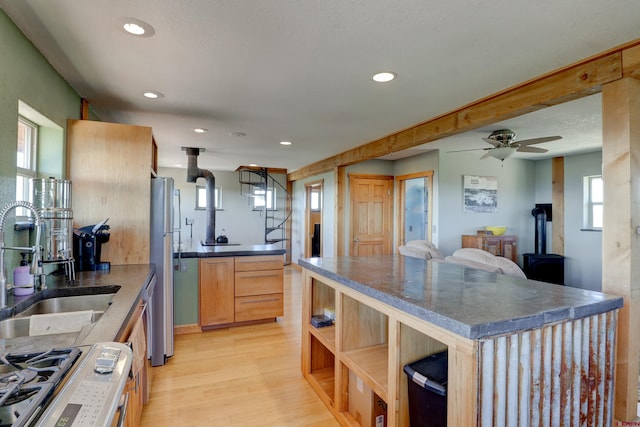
[[110, 167]]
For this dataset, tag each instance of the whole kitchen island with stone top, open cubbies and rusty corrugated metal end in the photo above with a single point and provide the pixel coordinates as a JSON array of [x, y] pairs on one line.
[[519, 351]]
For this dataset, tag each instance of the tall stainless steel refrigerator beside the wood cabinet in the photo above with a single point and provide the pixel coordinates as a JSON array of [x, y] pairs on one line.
[[162, 237]]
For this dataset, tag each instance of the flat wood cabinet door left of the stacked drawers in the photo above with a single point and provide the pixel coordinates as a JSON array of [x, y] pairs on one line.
[[216, 291]]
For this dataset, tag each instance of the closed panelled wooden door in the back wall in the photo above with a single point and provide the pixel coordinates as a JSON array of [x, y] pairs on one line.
[[371, 206]]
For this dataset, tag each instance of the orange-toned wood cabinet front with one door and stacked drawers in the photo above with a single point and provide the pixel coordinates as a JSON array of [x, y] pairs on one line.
[[238, 290]]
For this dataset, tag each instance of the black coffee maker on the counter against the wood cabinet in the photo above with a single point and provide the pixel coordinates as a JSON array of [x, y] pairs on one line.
[[87, 246]]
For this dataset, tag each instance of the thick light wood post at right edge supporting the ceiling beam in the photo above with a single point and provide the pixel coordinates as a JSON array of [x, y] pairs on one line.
[[621, 231]]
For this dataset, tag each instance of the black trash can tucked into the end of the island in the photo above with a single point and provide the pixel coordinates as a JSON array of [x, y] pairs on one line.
[[427, 381]]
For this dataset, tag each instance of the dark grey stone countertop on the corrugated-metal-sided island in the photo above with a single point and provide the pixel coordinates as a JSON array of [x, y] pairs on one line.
[[469, 302]]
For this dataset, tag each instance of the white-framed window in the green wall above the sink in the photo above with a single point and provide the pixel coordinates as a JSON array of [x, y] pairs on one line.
[[26, 161]]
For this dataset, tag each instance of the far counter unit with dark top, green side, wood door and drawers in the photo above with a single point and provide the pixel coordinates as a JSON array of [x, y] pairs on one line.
[[228, 285]]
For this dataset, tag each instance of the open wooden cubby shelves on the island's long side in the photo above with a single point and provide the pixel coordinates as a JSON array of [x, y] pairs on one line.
[[369, 344]]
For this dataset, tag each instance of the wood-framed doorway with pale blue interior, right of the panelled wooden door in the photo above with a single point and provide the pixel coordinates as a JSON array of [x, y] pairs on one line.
[[415, 201]]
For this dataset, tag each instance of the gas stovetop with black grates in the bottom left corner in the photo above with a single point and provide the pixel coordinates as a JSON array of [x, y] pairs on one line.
[[27, 381]]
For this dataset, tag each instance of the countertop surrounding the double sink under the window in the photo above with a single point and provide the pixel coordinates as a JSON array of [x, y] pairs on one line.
[[128, 281]]
